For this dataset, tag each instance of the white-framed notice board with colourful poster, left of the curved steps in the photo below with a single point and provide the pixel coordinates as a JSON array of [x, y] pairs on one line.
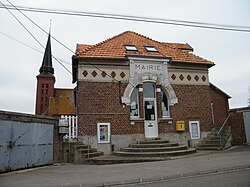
[[103, 130]]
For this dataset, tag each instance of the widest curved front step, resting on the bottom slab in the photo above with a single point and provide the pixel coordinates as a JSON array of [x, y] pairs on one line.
[[155, 154]]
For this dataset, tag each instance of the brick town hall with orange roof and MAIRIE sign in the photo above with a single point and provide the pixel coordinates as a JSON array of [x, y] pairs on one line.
[[131, 88]]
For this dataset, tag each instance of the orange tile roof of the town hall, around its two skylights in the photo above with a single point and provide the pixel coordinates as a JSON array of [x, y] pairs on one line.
[[114, 48]]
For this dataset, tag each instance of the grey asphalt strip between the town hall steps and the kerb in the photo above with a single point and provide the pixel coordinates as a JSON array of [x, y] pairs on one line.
[[92, 175]]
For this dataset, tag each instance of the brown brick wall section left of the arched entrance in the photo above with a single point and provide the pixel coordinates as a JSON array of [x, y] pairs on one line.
[[100, 102]]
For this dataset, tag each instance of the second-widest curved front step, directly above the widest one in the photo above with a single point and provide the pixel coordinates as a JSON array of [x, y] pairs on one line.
[[154, 149]]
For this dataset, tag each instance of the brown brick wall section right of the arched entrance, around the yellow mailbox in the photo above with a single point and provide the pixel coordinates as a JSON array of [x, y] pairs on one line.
[[193, 104]]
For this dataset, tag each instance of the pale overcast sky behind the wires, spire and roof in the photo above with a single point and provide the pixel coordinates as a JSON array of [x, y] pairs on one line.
[[19, 65]]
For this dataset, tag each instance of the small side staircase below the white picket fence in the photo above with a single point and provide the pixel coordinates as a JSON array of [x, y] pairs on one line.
[[78, 152]]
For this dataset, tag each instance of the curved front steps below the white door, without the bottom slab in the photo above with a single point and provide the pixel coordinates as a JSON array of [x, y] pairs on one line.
[[154, 148]]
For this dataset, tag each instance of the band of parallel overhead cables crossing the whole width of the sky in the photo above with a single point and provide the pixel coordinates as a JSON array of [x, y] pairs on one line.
[[139, 19]]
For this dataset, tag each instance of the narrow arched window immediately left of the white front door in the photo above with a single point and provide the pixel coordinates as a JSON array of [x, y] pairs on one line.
[[134, 108]]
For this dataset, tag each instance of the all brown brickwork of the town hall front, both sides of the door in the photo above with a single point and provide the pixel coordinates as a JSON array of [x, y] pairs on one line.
[[100, 102]]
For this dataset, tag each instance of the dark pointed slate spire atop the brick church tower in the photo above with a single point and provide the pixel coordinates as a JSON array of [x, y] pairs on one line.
[[47, 67]]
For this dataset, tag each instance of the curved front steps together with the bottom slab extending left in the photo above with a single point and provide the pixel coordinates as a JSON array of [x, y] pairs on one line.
[[144, 151]]
